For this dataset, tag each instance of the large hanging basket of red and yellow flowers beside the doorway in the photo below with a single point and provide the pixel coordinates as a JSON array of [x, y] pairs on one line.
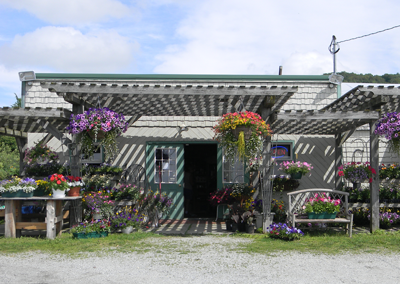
[[241, 133]]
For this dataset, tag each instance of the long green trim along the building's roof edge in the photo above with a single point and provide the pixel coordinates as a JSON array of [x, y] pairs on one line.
[[182, 77]]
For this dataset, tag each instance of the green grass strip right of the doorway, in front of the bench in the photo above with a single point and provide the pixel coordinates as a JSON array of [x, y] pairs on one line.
[[328, 243]]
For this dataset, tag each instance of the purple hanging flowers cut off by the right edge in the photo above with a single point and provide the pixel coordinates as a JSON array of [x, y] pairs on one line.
[[389, 127]]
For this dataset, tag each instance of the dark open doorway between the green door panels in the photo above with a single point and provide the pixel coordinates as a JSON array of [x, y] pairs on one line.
[[200, 179]]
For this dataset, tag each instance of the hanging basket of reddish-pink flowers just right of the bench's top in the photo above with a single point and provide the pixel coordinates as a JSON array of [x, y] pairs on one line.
[[357, 172]]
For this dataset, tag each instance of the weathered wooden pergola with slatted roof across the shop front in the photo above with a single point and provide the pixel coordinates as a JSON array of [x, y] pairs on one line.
[[209, 97]]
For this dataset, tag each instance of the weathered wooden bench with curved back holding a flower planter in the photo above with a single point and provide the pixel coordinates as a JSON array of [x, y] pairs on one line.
[[298, 198]]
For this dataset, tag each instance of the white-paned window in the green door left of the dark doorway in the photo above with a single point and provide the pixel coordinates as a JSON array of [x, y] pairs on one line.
[[165, 165]]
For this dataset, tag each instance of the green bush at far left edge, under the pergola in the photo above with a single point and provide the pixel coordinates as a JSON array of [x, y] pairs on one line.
[[9, 160]]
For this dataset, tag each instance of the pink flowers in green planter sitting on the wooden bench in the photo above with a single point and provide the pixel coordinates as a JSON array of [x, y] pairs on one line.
[[321, 207]]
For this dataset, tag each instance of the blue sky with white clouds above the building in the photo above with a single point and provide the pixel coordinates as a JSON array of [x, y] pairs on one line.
[[194, 37]]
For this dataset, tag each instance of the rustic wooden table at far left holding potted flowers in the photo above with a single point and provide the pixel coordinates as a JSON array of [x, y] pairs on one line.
[[54, 217]]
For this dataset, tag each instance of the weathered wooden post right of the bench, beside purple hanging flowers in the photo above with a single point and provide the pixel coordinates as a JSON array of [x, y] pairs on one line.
[[374, 186]]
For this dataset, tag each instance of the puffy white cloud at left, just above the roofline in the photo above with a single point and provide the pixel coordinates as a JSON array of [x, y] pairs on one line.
[[69, 50]]
